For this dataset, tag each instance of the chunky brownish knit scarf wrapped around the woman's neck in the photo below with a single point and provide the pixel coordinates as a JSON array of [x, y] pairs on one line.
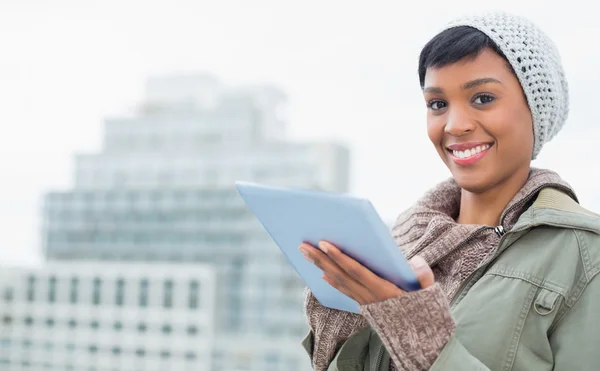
[[454, 251]]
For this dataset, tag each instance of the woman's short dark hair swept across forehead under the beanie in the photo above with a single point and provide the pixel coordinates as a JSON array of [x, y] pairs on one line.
[[453, 45]]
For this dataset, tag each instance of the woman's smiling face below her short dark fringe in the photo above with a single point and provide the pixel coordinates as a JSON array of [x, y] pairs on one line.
[[479, 121]]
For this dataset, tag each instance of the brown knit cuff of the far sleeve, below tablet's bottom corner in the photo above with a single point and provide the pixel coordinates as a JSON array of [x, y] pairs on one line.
[[329, 329]]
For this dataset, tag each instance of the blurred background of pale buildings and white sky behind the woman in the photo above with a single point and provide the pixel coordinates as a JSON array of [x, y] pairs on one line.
[[123, 244]]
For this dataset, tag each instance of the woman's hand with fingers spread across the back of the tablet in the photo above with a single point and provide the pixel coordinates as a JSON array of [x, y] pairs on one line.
[[353, 279]]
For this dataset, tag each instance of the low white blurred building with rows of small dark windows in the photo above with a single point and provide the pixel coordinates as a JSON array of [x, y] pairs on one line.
[[98, 316]]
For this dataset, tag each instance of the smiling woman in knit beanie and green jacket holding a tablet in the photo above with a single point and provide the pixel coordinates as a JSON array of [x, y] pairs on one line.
[[506, 257]]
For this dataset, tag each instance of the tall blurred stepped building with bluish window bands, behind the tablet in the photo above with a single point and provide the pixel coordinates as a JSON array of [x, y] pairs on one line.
[[161, 190]]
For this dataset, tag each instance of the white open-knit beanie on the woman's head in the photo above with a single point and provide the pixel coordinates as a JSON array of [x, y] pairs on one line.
[[537, 63]]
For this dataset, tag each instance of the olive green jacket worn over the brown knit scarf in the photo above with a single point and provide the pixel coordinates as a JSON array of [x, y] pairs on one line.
[[534, 305]]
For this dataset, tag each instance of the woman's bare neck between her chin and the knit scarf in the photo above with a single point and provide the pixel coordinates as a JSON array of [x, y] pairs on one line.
[[486, 208]]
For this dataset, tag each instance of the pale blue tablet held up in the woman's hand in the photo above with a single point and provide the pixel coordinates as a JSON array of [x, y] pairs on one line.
[[292, 216]]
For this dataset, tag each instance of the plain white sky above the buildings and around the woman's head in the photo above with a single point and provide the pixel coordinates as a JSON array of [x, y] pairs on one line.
[[349, 69]]
